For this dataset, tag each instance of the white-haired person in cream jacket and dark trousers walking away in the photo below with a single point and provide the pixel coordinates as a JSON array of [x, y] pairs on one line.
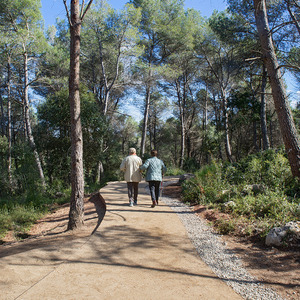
[[131, 168]]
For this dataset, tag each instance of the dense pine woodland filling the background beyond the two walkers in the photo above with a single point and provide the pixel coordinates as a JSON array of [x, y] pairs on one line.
[[209, 89]]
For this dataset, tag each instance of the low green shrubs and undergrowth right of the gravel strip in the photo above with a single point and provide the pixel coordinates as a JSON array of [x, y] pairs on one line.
[[258, 193]]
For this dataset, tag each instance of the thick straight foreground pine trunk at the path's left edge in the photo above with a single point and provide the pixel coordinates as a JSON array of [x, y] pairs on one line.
[[76, 214]]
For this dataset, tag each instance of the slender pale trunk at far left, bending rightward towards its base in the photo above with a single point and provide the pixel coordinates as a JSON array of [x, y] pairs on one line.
[[27, 121]]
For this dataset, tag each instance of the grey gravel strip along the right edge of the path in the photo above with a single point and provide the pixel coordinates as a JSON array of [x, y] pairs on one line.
[[214, 253]]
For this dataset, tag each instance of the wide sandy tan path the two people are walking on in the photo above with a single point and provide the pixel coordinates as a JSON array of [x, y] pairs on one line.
[[136, 253]]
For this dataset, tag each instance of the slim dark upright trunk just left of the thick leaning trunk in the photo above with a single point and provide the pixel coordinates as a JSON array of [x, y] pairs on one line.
[[263, 111]]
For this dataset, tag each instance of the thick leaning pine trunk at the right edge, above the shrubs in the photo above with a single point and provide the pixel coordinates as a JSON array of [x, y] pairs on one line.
[[286, 122]]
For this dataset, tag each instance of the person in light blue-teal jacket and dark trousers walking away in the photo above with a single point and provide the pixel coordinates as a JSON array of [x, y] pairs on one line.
[[155, 168]]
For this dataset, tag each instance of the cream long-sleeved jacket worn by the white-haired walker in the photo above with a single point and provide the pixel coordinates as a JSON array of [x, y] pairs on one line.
[[131, 166]]
